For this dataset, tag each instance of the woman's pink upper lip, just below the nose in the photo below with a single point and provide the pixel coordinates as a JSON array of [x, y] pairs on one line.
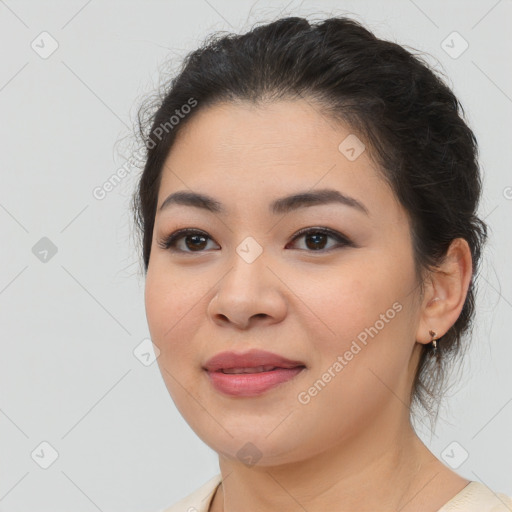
[[252, 361]]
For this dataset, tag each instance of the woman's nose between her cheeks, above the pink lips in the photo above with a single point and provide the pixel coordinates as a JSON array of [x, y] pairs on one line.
[[249, 294]]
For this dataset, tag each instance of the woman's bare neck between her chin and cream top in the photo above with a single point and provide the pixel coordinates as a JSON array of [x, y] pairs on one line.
[[379, 469]]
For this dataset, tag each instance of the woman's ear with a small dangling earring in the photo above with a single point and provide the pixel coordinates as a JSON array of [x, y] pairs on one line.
[[445, 292]]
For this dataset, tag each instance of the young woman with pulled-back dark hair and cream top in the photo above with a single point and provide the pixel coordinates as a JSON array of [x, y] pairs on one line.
[[307, 214]]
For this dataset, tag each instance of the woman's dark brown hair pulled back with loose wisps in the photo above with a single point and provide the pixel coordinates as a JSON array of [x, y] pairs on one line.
[[409, 119]]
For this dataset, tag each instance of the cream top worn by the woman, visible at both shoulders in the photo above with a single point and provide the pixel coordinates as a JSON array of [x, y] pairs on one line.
[[475, 497]]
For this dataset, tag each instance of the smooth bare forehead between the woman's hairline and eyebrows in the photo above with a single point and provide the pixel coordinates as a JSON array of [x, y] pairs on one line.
[[241, 151]]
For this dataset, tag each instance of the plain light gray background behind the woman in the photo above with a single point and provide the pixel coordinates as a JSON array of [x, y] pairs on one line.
[[72, 320]]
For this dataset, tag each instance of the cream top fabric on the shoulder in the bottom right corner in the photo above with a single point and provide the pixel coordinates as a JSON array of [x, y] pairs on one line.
[[477, 497]]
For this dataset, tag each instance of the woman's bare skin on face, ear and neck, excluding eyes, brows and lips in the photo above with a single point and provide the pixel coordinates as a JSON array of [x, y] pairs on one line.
[[352, 447]]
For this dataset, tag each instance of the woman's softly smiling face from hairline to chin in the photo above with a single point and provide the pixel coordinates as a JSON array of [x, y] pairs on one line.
[[346, 308]]
